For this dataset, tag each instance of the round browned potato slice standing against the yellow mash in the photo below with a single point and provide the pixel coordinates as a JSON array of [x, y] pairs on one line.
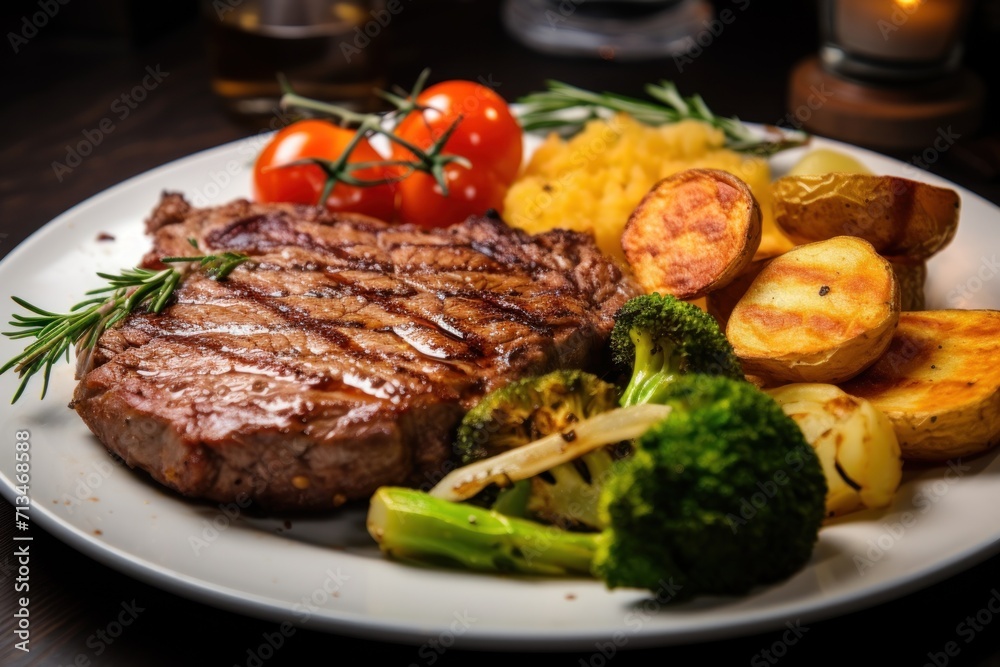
[[692, 233]]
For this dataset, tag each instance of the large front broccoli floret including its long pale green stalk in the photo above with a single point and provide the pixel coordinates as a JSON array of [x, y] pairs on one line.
[[722, 495]]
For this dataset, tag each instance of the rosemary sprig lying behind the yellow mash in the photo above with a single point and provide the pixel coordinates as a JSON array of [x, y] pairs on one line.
[[566, 108]]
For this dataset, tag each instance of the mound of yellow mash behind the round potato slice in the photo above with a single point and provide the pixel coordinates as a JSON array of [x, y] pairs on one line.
[[592, 181]]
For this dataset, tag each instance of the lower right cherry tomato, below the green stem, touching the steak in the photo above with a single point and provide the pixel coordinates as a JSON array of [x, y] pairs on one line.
[[470, 192]]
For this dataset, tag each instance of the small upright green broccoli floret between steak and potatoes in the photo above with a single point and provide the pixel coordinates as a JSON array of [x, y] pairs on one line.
[[660, 337]]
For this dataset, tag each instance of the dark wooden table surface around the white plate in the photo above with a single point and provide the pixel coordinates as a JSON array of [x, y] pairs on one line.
[[62, 83]]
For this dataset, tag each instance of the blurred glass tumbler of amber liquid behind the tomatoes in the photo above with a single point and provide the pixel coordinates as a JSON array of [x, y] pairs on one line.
[[332, 50]]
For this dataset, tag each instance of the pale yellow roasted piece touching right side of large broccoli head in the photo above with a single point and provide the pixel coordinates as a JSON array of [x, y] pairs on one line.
[[855, 442]]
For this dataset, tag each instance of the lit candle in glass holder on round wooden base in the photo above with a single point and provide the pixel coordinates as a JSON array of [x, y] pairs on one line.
[[889, 74]]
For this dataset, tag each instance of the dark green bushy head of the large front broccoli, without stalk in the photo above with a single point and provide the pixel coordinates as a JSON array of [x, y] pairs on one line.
[[730, 483]]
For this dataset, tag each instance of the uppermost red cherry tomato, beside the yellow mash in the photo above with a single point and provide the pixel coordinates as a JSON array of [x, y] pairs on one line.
[[488, 134]]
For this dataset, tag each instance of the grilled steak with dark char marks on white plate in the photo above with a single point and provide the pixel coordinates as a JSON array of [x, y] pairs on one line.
[[342, 356]]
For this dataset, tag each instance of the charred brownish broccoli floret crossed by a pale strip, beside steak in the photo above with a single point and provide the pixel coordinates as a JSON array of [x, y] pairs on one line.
[[526, 410]]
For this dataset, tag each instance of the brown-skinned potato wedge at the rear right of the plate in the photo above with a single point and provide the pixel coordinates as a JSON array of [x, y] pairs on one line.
[[898, 216]]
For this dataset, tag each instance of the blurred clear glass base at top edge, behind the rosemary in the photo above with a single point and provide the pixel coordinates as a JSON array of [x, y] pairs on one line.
[[608, 29]]
